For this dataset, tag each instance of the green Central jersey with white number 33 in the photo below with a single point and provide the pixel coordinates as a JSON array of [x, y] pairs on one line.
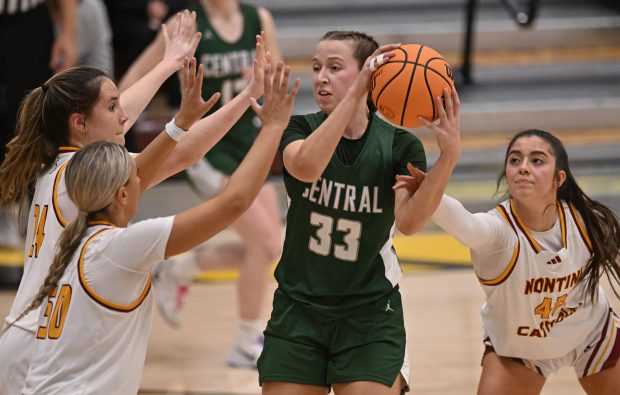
[[338, 253]]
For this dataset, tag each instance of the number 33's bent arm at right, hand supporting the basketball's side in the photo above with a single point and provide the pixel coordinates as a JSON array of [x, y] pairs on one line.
[[412, 212]]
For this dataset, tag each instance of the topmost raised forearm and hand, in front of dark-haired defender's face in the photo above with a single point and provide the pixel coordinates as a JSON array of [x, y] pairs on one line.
[[180, 42]]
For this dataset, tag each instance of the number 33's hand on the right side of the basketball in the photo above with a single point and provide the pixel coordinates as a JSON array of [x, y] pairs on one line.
[[448, 130]]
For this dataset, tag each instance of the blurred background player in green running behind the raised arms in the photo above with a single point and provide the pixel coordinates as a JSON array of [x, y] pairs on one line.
[[226, 51]]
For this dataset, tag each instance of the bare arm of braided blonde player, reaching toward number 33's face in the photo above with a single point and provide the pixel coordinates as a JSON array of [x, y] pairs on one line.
[[198, 224]]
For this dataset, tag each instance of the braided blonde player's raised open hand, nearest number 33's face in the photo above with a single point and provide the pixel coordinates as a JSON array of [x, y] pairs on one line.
[[278, 101]]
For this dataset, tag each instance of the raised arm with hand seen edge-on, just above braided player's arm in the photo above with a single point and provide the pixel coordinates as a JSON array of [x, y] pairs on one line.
[[204, 134]]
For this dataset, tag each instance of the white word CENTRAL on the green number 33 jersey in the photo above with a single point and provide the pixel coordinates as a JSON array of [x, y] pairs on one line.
[[344, 197]]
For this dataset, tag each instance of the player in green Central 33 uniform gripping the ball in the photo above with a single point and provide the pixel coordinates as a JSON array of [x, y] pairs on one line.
[[337, 317]]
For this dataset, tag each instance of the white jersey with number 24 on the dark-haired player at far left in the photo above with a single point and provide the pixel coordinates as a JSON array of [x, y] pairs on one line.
[[50, 211]]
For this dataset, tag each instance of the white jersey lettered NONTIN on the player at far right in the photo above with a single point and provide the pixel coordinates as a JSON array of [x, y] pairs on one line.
[[537, 308]]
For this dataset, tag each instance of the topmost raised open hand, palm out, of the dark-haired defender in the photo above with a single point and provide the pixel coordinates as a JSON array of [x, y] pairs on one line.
[[180, 37]]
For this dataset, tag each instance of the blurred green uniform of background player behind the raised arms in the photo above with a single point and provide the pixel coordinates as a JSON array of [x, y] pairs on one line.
[[223, 64]]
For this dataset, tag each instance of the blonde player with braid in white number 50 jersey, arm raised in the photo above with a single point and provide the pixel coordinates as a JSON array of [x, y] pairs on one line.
[[96, 301]]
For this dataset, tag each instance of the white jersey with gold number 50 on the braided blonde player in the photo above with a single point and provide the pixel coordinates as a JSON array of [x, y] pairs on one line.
[[93, 329]]
